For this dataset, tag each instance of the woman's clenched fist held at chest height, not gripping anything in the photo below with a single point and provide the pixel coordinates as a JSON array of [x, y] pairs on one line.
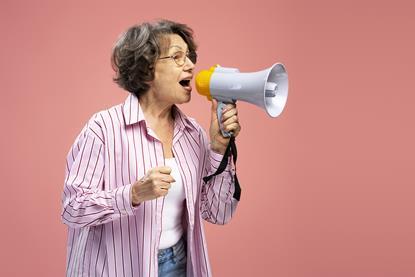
[[154, 184]]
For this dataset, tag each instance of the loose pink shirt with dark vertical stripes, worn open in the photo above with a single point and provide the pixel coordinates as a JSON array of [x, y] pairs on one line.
[[107, 236]]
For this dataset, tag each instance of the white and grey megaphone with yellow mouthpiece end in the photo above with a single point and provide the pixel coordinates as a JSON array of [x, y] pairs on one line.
[[267, 89]]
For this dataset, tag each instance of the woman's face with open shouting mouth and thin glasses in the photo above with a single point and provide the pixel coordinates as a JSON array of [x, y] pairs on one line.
[[168, 85]]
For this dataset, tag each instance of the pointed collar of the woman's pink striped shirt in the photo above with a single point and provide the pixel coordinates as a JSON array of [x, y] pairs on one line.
[[133, 113]]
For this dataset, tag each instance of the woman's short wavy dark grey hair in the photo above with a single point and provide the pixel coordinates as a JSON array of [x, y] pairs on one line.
[[137, 50]]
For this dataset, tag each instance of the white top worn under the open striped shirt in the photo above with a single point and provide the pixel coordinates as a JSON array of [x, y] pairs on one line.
[[174, 204]]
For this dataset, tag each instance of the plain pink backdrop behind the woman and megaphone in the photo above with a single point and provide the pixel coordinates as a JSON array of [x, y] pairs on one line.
[[327, 188]]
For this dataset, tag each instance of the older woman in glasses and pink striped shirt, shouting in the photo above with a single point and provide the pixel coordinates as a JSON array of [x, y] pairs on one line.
[[134, 197]]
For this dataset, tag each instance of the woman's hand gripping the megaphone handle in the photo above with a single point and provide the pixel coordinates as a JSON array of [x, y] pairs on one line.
[[230, 123]]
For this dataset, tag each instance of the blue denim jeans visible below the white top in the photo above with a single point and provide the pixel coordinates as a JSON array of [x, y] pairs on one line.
[[172, 261]]
